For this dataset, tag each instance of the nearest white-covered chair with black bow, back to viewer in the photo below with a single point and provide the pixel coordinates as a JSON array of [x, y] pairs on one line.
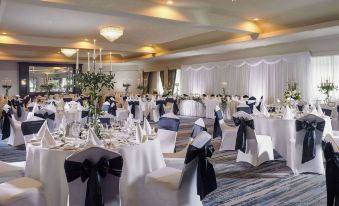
[[104, 170]]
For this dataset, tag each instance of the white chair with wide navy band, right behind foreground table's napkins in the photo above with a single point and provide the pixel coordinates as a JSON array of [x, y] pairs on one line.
[[168, 127]]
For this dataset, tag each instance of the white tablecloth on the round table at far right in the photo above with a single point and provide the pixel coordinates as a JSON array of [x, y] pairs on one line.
[[282, 131]]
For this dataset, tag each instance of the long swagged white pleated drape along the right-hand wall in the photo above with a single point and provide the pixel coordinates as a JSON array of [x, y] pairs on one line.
[[265, 76]]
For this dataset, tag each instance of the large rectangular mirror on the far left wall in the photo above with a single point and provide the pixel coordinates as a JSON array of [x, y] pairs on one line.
[[58, 78]]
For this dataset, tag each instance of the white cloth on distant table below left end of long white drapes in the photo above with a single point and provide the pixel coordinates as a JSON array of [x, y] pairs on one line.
[[192, 108]]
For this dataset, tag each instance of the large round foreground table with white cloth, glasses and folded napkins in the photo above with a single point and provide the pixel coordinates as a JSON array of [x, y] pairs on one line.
[[47, 164]]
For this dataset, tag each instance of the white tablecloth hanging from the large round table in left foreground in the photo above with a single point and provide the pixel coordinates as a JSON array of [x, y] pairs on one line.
[[47, 166]]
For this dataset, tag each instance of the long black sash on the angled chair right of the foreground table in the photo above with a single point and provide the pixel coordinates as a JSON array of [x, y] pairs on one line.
[[206, 178]]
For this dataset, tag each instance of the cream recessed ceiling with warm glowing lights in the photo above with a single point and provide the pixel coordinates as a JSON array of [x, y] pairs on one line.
[[36, 30]]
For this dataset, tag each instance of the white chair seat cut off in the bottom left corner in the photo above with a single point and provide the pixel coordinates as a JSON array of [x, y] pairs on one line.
[[22, 191]]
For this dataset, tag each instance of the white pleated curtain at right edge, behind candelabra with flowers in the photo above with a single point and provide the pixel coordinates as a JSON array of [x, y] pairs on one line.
[[322, 69]]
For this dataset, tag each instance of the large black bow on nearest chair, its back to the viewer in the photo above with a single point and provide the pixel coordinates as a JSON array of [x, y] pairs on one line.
[[94, 173]]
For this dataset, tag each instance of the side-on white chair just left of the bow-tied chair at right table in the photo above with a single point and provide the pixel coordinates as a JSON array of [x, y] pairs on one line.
[[228, 134]]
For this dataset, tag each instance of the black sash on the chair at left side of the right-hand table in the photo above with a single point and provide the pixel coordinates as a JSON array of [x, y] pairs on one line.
[[240, 143]]
